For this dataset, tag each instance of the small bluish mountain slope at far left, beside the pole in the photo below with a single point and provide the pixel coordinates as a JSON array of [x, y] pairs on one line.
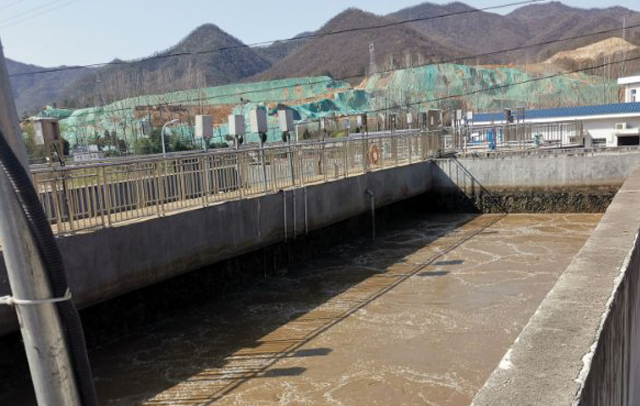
[[34, 91]]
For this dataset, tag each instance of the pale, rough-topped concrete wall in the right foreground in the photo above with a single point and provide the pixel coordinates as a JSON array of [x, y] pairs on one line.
[[582, 346]]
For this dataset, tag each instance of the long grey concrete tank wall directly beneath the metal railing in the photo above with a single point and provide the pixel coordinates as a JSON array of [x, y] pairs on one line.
[[109, 262]]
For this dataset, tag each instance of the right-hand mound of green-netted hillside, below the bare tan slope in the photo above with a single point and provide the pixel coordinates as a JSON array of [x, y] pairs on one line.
[[437, 83]]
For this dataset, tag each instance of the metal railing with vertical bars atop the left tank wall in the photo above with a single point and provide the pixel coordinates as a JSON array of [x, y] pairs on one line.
[[105, 194]]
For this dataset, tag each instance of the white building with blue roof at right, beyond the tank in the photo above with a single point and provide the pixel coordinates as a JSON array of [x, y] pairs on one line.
[[608, 125]]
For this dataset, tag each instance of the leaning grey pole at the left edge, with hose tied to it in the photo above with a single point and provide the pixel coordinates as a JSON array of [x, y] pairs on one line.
[[45, 344]]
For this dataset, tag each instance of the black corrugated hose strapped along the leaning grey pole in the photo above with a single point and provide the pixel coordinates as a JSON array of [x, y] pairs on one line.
[[54, 267]]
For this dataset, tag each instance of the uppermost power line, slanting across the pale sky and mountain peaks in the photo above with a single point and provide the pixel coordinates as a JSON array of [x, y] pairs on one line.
[[300, 38]]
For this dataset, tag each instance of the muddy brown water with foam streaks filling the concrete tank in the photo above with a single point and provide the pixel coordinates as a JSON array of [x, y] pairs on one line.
[[421, 318]]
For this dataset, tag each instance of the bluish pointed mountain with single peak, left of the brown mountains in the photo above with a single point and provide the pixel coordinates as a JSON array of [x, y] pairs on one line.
[[163, 73]]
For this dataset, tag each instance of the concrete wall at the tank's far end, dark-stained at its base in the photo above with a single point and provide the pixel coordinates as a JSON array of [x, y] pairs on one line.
[[566, 181]]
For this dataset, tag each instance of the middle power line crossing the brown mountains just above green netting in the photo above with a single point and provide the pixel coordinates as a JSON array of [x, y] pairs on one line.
[[350, 77]]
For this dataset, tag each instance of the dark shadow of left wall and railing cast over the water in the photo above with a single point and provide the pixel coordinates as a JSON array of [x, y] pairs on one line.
[[135, 316]]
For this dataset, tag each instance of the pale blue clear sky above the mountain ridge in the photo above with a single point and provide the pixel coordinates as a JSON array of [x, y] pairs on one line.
[[69, 32]]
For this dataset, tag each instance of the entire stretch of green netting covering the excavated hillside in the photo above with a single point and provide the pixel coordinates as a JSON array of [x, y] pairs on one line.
[[316, 97]]
